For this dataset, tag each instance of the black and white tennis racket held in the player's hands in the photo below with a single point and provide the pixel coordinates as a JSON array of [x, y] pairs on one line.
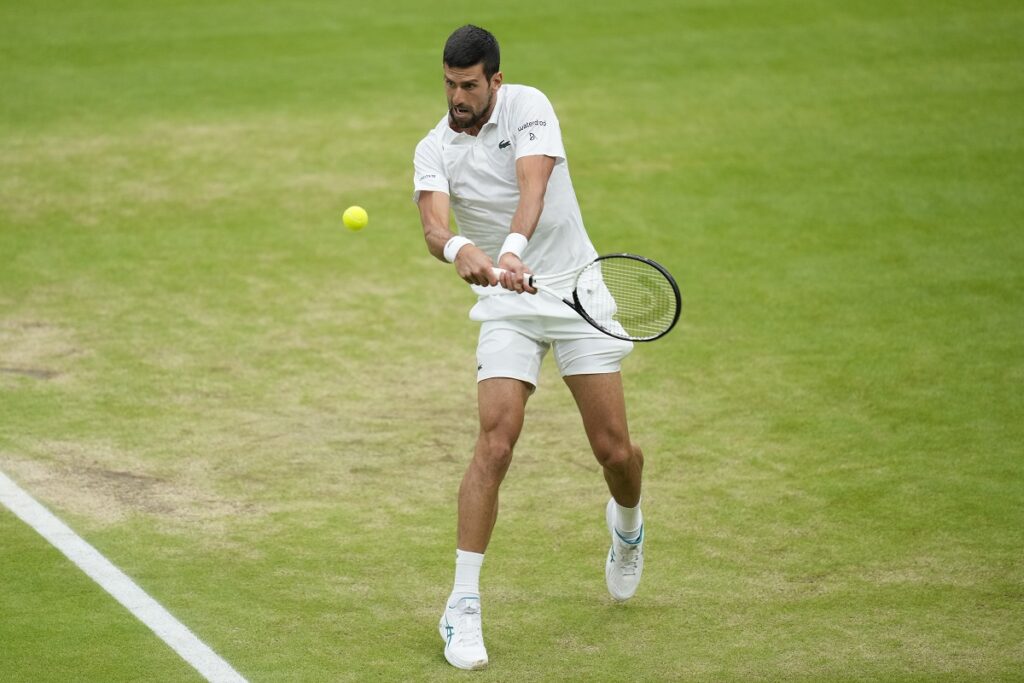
[[623, 295]]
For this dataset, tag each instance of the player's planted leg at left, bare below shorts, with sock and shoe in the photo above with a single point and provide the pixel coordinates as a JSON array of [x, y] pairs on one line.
[[502, 407]]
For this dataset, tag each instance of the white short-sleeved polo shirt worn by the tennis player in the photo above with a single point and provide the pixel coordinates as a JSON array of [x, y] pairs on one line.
[[479, 175]]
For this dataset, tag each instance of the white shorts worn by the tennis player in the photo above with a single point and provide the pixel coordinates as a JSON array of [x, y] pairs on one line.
[[516, 348]]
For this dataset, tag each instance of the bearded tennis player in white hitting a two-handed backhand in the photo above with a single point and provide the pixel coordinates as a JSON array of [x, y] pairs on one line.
[[496, 161]]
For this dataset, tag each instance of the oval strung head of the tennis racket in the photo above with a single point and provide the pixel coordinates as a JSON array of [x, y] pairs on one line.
[[629, 297]]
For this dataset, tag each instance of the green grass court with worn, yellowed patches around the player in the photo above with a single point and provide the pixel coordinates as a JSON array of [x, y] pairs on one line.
[[264, 418]]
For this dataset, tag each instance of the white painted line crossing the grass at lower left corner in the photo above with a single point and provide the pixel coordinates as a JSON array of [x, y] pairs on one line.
[[117, 583]]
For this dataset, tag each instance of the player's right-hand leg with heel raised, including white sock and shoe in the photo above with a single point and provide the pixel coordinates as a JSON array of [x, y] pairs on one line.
[[603, 406]]
